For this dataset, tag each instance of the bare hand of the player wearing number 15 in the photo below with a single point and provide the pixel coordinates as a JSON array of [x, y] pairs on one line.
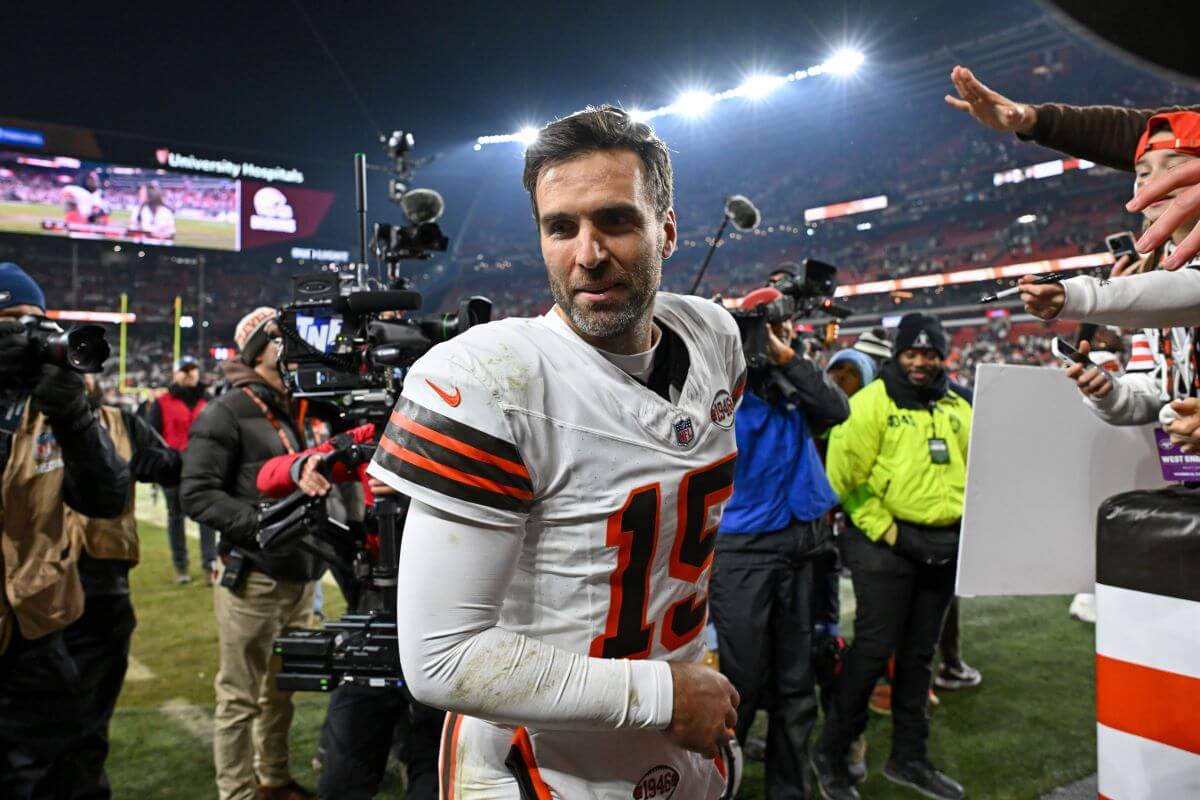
[[706, 709]]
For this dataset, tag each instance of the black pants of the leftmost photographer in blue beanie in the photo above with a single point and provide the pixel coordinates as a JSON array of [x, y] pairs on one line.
[[40, 719]]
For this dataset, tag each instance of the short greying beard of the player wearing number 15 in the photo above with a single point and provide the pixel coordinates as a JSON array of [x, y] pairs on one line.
[[608, 321]]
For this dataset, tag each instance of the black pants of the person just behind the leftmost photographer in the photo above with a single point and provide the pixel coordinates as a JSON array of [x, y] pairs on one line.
[[99, 643]]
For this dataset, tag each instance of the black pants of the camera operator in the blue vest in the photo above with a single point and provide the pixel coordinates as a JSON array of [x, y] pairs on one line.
[[761, 603]]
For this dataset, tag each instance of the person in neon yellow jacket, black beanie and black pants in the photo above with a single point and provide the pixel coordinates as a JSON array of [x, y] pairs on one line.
[[899, 466]]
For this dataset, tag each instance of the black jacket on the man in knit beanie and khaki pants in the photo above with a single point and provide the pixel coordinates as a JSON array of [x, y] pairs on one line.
[[230, 442]]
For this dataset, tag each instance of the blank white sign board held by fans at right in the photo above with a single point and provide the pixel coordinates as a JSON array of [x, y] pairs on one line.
[[1041, 465]]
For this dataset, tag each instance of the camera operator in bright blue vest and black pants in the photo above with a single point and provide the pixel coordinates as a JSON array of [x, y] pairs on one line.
[[763, 570]]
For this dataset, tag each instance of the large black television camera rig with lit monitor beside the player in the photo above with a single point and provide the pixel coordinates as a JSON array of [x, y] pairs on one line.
[[349, 341]]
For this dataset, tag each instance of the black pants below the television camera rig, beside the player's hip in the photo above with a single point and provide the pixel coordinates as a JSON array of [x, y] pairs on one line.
[[358, 735]]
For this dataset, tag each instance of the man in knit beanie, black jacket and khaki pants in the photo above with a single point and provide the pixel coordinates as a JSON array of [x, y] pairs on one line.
[[260, 596]]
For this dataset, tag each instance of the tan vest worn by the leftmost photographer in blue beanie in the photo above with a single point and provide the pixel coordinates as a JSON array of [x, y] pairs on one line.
[[43, 591]]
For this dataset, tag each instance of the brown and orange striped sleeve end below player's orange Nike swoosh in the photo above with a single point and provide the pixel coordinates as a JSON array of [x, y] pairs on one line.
[[451, 458]]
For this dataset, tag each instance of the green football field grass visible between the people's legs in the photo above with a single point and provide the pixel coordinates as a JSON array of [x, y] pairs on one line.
[[1029, 729]]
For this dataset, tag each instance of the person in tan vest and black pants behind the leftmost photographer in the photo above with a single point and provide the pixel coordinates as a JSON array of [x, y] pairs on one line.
[[99, 642]]
